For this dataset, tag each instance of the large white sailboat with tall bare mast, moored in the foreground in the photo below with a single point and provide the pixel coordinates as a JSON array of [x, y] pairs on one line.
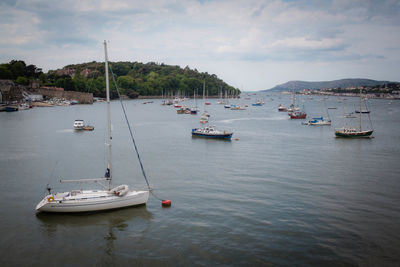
[[95, 200]]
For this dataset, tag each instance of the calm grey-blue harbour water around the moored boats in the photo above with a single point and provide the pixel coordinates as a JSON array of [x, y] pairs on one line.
[[283, 194]]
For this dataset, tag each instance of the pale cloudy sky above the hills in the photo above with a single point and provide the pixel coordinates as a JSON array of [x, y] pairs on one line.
[[250, 44]]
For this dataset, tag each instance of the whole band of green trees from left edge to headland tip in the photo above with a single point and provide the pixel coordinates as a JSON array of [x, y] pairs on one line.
[[132, 78]]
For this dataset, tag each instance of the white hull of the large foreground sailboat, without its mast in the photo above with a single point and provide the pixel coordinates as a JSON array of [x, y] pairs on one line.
[[84, 201]]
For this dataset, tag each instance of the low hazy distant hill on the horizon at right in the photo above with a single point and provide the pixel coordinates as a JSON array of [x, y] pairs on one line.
[[300, 85]]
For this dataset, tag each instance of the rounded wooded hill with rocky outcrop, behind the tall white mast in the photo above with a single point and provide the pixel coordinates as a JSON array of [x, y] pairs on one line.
[[146, 79]]
